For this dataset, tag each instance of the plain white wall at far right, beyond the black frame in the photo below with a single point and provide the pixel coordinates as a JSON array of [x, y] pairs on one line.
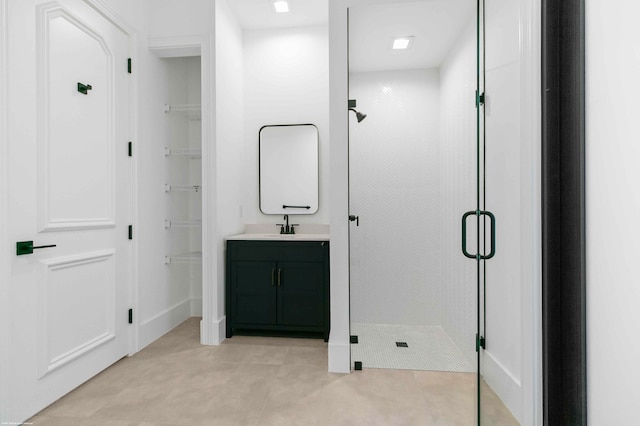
[[612, 210]]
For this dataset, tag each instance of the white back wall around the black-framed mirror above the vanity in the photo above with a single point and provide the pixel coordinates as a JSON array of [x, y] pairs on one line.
[[285, 82]]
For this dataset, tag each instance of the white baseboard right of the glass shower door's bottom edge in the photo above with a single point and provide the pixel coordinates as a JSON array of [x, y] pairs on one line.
[[502, 382]]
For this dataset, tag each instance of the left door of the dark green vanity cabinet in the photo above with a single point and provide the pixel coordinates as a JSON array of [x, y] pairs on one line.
[[253, 293]]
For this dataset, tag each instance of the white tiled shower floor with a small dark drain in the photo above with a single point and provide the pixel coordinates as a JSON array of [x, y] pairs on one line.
[[429, 348]]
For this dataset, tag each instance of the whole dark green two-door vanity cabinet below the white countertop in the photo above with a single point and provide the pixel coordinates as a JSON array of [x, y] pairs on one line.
[[278, 287]]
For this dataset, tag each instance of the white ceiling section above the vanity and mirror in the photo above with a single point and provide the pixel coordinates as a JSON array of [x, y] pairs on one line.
[[260, 14]]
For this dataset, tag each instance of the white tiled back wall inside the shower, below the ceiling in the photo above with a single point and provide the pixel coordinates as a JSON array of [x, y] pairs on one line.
[[395, 190]]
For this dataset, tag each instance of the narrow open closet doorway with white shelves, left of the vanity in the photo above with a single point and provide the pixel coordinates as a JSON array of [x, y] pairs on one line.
[[174, 190]]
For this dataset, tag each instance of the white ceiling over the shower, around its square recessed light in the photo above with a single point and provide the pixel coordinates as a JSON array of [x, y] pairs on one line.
[[435, 24]]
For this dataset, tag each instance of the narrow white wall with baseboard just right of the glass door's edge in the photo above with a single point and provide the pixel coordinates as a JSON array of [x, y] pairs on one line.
[[507, 196]]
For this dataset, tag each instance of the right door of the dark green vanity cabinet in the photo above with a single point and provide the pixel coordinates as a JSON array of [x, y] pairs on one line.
[[301, 287]]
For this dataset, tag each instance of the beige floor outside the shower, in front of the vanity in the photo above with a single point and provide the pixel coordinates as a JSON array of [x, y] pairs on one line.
[[261, 381]]
